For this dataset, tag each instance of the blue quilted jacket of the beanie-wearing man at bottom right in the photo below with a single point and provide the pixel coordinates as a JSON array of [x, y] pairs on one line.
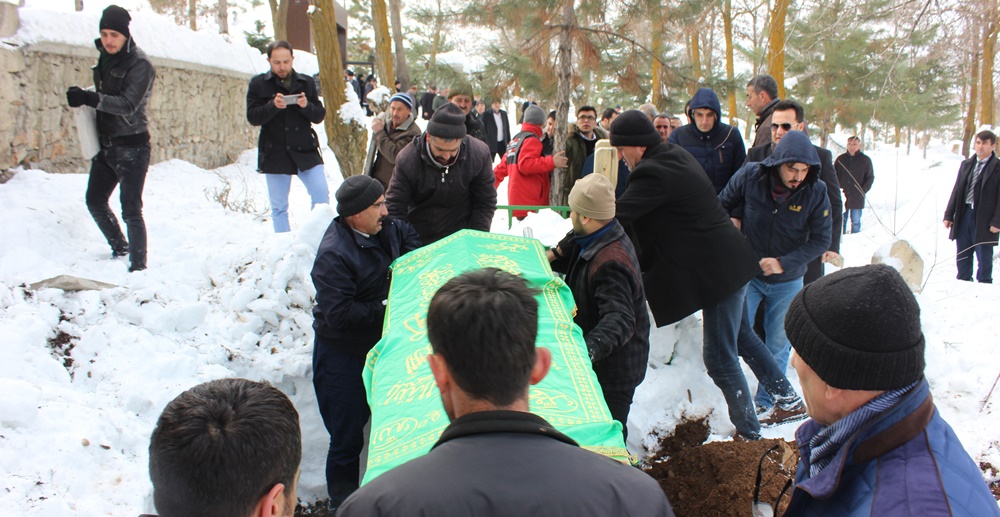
[[907, 461]]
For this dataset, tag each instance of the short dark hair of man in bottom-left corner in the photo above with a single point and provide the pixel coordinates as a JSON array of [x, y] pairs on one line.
[[220, 446]]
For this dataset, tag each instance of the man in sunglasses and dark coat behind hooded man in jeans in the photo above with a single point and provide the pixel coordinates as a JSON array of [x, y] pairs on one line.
[[790, 116]]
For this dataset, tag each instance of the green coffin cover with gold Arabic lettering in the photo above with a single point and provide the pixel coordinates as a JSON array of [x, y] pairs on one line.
[[407, 415]]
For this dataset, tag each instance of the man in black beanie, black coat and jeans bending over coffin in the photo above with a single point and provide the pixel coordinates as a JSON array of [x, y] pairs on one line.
[[692, 257]]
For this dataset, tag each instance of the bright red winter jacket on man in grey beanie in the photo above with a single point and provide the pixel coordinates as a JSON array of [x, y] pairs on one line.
[[529, 177]]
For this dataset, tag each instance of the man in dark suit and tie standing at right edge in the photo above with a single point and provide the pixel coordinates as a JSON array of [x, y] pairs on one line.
[[973, 213]]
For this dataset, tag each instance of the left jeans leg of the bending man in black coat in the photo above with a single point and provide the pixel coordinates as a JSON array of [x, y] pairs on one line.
[[721, 328]]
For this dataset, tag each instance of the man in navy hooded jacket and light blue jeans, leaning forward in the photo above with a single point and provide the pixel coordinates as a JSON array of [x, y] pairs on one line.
[[785, 215]]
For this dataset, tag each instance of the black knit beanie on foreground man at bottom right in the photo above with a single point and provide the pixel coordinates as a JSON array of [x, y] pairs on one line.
[[859, 329]]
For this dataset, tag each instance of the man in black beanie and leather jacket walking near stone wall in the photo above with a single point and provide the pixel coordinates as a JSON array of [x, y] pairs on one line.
[[124, 81]]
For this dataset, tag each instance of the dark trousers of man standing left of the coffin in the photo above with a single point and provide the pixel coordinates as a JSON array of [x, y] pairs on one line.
[[343, 405]]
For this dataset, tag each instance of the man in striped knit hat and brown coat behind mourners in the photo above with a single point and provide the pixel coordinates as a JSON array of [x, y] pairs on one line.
[[391, 132]]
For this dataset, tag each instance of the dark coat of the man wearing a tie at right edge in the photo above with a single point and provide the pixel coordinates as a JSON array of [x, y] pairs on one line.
[[986, 199]]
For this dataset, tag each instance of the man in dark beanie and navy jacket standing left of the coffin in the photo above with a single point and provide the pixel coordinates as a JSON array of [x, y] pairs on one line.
[[352, 283]]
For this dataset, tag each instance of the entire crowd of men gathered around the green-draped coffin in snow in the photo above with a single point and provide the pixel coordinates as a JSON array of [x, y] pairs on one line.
[[696, 222]]
